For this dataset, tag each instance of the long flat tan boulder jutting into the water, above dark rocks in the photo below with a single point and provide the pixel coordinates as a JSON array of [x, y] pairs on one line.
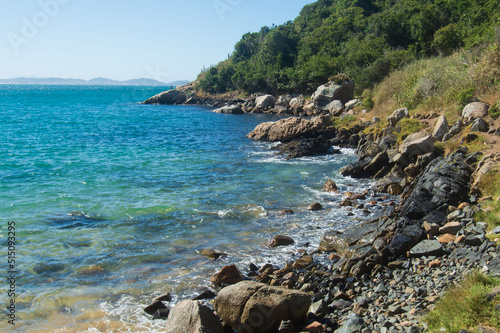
[[288, 129]]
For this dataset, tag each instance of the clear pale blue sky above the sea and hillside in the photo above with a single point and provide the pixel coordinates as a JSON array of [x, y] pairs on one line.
[[162, 39]]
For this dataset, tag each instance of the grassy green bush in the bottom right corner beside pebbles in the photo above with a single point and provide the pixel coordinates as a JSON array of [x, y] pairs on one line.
[[466, 306]]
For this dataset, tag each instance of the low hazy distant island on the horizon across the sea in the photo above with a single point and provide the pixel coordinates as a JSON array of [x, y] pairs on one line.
[[94, 82]]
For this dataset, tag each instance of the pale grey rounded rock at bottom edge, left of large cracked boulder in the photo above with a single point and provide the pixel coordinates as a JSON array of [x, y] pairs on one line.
[[192, 316]]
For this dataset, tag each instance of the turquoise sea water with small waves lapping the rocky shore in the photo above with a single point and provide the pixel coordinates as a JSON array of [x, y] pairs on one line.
[[114, 201]]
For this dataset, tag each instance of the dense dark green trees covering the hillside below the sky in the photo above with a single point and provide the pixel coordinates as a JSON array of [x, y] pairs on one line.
[[365, 39]]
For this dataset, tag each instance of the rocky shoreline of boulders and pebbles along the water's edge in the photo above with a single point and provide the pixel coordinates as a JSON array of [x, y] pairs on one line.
[[381, 275]]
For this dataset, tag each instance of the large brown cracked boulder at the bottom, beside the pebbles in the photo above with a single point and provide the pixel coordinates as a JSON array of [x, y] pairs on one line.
[[258, 308]]
